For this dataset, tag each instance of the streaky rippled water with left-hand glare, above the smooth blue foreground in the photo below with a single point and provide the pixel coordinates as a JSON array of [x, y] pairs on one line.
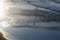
[[30, 13]]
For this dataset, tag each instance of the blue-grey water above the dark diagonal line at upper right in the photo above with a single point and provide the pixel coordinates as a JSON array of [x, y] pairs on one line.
[[47, 4]]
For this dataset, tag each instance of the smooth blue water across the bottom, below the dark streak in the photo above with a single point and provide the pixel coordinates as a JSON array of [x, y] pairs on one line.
[[33, 33]]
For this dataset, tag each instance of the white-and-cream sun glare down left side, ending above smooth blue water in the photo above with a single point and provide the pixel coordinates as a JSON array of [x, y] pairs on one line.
[[3, 13]]
